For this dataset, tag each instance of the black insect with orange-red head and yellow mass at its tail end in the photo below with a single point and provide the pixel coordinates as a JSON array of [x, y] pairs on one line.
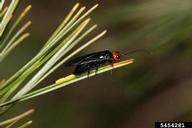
[[96, 60]]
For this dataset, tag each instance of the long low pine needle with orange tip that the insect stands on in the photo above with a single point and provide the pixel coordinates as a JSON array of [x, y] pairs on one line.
[[67, 81]]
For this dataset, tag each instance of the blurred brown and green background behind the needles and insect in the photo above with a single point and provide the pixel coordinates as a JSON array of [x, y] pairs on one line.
[[156, 87]]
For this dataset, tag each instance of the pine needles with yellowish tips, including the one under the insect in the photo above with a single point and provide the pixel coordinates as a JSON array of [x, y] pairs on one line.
[[55, 52]]
